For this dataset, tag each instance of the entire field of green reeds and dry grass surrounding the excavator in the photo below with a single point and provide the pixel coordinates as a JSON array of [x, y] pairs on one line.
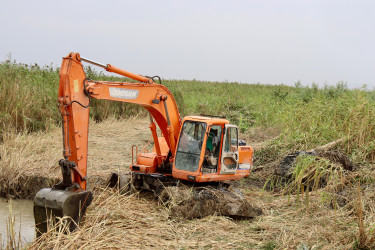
[[276, 120]]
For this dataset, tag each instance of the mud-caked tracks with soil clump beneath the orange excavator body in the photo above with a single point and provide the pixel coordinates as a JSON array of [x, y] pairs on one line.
[[189, 199]]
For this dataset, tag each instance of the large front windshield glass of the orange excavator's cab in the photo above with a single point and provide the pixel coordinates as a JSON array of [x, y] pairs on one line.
[[190, 145]]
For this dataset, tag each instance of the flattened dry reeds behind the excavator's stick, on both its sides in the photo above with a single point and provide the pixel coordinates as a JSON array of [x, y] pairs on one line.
[[30, 162]]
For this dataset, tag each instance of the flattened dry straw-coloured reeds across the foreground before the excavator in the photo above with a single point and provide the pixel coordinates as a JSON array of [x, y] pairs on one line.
[[127, 221]]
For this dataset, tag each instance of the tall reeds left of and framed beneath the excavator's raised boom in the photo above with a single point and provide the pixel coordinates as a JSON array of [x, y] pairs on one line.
[[28, 98]]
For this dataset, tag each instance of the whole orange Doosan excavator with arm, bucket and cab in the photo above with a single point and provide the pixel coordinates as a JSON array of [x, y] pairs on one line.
[[197, 150]]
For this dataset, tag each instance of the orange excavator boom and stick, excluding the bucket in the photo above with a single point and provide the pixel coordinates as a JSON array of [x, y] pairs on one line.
[[75, 91]]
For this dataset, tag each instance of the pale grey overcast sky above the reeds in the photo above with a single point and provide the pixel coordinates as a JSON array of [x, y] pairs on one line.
[[265, 41]]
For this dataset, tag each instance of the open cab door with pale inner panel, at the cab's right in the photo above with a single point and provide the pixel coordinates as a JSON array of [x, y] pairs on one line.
[[229, 155]]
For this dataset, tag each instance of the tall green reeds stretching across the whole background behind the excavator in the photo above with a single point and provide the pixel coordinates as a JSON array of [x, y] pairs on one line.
[[305, 116]]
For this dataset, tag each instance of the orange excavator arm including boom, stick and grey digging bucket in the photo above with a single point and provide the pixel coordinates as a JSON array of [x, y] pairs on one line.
[[75, 92]]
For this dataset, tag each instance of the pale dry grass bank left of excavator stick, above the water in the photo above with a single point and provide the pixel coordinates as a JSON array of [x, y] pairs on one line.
[[27, 162]]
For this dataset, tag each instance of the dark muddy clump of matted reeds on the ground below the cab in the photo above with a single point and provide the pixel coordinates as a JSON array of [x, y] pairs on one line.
[[197, 203]]
